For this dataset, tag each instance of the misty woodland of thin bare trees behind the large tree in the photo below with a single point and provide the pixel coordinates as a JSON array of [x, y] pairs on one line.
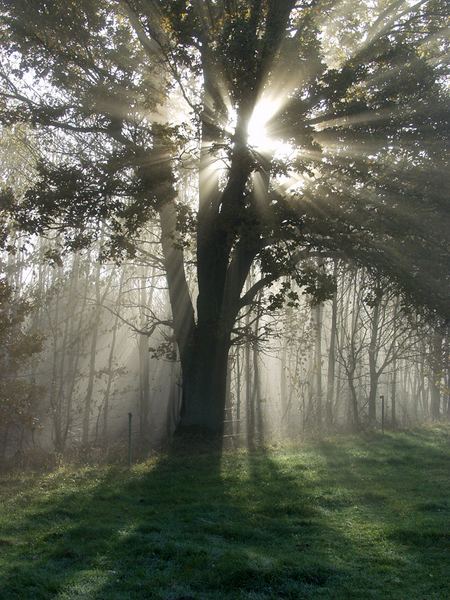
[[82, 349]]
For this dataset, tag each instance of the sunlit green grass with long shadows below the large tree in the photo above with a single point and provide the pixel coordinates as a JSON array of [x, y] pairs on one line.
[[348, 517]]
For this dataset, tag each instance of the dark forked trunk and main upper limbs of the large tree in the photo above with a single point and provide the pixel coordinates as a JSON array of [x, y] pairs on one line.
[[225, 247]]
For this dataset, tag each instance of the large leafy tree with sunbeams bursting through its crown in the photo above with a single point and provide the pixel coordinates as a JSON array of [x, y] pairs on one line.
[[316, 131]]
